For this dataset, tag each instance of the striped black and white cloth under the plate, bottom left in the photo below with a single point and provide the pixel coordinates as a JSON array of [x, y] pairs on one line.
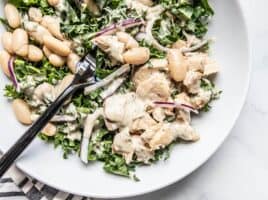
[[17, 186]]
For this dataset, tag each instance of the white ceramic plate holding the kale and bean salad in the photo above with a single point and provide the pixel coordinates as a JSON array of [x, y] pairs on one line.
[[231, 50]]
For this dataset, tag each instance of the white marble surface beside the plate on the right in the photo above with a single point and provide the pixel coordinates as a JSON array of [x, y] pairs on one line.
[[239, 169]]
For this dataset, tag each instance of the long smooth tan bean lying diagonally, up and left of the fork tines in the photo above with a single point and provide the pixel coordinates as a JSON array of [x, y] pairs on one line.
[[56, 46]]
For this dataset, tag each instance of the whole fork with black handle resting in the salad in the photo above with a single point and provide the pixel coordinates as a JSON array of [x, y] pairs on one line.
[[84, 77]]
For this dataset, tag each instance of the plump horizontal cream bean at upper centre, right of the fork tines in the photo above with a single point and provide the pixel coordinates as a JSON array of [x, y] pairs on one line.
[[137, 56]]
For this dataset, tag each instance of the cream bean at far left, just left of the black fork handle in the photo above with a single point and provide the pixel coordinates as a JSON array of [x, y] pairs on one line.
[[22, 111]]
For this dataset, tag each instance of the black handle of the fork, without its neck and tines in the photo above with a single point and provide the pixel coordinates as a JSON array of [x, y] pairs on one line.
[[12, 154]]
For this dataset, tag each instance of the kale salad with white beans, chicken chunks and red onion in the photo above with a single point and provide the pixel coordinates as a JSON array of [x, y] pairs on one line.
[[152, 62]]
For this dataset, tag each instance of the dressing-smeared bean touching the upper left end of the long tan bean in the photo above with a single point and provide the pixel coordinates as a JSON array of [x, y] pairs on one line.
[[36, 31]]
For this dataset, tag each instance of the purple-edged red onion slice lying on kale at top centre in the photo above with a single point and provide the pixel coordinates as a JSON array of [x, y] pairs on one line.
[[127, 23]]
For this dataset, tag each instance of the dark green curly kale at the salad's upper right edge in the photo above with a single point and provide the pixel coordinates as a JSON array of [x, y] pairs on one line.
[[190, 15]]
